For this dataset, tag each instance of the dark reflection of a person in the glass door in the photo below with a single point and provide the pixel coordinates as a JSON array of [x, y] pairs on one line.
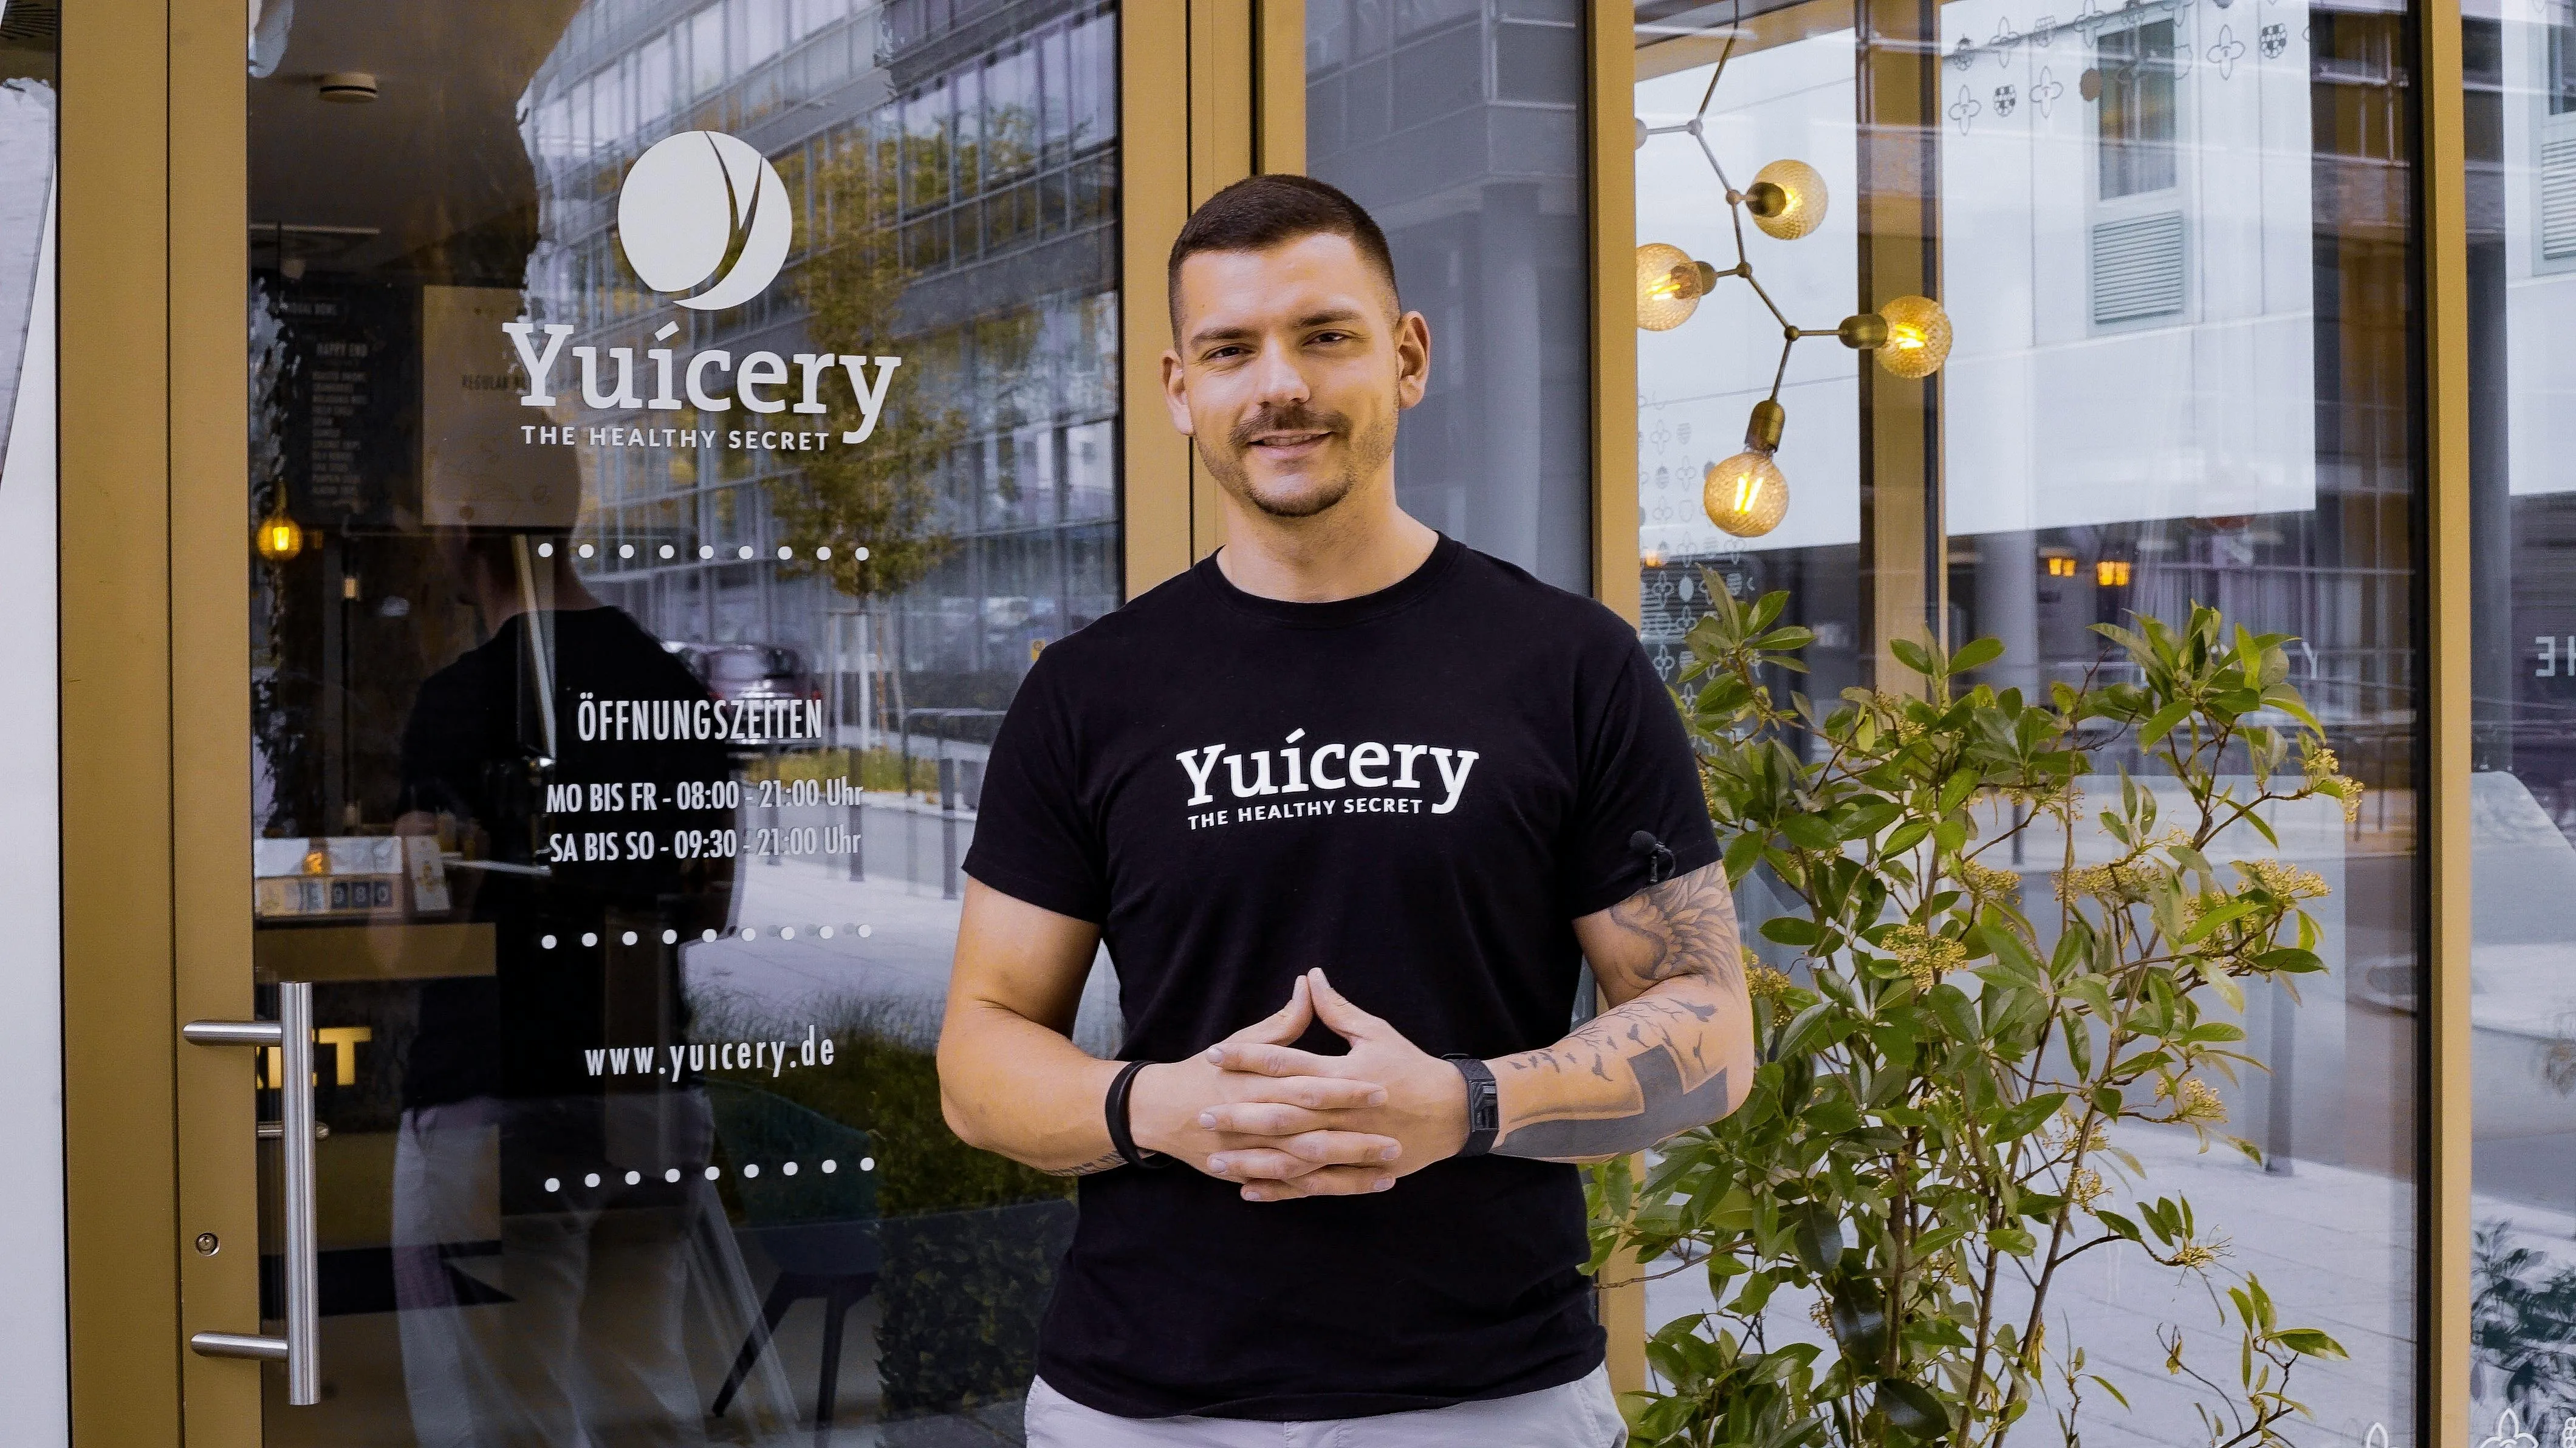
[[581, 1333]]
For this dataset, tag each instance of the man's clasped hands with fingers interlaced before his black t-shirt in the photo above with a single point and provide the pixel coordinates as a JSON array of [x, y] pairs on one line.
[[1282, 1122]]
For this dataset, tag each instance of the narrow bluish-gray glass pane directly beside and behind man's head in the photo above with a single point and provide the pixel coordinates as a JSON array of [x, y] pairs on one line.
[[1459, 125]]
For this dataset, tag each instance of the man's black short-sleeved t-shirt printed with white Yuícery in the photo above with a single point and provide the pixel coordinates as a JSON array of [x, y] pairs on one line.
[[1421, 792]]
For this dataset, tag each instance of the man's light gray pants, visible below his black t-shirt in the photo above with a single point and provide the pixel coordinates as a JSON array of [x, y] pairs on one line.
[[1573, 1416]]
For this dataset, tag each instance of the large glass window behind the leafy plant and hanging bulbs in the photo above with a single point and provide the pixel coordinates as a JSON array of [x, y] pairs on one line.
[[2175, 251]]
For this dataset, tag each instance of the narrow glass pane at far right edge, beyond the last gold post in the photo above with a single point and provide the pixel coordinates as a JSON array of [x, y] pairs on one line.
[[2521, 112]]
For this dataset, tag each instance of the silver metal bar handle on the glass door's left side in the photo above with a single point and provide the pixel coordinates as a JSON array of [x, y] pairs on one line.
[[295, 1040]]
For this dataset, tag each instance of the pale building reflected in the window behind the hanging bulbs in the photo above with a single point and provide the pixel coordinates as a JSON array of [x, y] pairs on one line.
[[2178, 308]]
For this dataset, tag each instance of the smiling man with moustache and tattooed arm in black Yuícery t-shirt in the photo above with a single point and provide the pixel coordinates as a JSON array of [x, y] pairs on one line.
[[1338, 746]]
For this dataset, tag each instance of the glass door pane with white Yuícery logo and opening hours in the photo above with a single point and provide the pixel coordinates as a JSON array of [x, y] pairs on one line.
[[676, 429]]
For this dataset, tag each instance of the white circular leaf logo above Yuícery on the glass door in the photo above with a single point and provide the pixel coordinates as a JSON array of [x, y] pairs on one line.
[[705, 210]]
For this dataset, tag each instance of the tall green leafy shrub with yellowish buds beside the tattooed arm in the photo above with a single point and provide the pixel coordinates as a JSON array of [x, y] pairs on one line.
[[1928, 1138]]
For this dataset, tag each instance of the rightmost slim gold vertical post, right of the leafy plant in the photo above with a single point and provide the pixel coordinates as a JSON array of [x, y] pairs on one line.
[[2443, 803]]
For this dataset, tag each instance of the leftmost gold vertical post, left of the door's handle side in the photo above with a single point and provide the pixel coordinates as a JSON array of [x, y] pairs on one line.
[[120, 1029]]
